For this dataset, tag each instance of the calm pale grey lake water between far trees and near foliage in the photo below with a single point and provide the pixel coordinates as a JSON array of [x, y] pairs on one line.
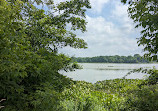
[[93, 72]]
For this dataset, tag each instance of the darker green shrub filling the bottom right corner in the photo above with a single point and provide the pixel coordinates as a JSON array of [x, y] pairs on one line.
[[144, 99]]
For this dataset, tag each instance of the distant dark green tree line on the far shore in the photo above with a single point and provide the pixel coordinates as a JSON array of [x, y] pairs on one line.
[[112, 59]]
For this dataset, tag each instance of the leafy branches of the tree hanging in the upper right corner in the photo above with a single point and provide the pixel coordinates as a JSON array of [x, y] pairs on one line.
[[145, 14]]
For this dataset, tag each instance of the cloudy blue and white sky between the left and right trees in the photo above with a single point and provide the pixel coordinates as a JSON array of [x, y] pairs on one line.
[[109, 31]]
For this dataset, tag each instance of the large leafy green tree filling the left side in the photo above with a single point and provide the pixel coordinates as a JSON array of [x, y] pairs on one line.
[[29, 58]]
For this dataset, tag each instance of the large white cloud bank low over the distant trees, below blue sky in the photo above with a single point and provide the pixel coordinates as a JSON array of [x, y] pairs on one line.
[[105, 38]]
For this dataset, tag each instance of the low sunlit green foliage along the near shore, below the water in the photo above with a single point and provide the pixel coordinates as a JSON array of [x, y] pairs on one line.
[[109, 95]]
